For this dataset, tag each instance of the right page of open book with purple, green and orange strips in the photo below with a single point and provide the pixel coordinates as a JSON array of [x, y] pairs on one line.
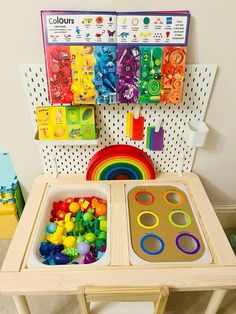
[[151, 54]]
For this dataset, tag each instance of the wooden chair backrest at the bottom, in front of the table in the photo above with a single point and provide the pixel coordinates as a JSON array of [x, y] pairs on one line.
[[158, 295]]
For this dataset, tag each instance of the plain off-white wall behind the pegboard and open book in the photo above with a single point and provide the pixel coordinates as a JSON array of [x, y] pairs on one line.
[[212, 40]]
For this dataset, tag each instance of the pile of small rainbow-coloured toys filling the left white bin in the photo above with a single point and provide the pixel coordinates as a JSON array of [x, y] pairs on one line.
[[76, 233]]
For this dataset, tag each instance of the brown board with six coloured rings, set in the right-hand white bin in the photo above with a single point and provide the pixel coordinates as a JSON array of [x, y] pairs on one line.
[[163, 227]]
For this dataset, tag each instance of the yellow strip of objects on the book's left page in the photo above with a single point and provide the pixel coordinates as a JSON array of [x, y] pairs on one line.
[[83, 62]]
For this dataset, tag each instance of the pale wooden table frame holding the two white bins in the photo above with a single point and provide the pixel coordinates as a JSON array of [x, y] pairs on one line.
[[18, 281]]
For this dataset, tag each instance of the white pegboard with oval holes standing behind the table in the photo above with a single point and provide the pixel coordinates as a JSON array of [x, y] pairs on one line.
[[110, 120]]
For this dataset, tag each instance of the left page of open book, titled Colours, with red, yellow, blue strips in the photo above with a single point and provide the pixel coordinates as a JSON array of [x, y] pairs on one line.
[[80, 54]]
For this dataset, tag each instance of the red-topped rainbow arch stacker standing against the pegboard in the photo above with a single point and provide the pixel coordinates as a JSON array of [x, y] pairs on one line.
[[120, 162]]
